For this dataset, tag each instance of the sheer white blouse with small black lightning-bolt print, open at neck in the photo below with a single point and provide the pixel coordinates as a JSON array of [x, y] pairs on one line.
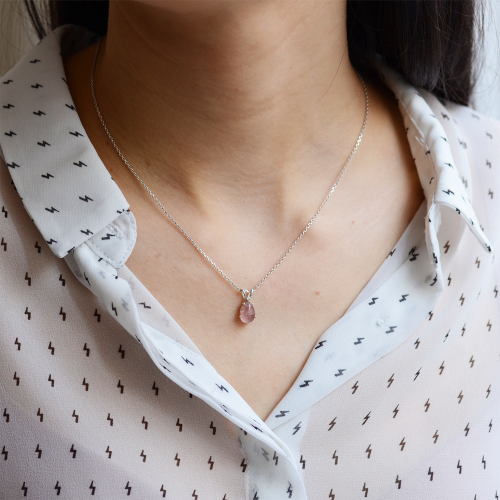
[[400, 398]]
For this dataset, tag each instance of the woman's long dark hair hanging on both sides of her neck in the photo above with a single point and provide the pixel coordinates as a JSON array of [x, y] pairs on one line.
[[433, 43]]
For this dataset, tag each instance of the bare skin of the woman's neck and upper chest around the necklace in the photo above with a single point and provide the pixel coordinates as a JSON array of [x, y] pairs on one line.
[[240, 115]]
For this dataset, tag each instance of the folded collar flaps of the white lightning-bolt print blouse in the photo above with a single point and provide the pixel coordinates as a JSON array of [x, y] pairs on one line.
[[70, 195]]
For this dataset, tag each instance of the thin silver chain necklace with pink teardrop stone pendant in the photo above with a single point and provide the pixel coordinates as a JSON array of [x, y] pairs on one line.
[[247, 309]]
